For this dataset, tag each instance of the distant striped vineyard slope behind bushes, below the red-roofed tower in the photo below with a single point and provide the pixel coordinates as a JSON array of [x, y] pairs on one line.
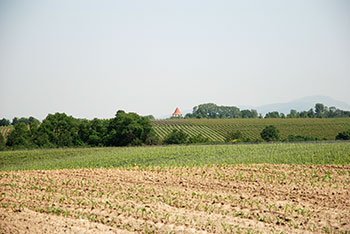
[[217, 129]]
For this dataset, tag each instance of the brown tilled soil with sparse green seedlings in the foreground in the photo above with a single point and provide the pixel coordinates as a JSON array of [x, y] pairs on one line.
[[260, 198]]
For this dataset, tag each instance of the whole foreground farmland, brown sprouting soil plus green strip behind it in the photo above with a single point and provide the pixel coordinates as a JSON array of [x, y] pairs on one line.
[[294, 188]]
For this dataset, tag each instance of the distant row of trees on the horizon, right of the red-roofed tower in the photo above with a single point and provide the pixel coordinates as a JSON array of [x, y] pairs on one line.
[[213, 111]]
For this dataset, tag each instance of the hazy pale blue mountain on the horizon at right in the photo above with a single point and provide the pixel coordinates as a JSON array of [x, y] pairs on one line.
[[302, 104]]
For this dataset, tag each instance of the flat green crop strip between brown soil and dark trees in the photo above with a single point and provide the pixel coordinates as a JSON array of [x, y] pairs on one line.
[[191, 155]]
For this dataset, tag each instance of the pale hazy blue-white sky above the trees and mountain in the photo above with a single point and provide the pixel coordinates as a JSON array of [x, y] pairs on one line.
[[91, 58]]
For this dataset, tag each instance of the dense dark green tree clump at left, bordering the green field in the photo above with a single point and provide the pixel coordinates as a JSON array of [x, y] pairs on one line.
[[61, 130]]
